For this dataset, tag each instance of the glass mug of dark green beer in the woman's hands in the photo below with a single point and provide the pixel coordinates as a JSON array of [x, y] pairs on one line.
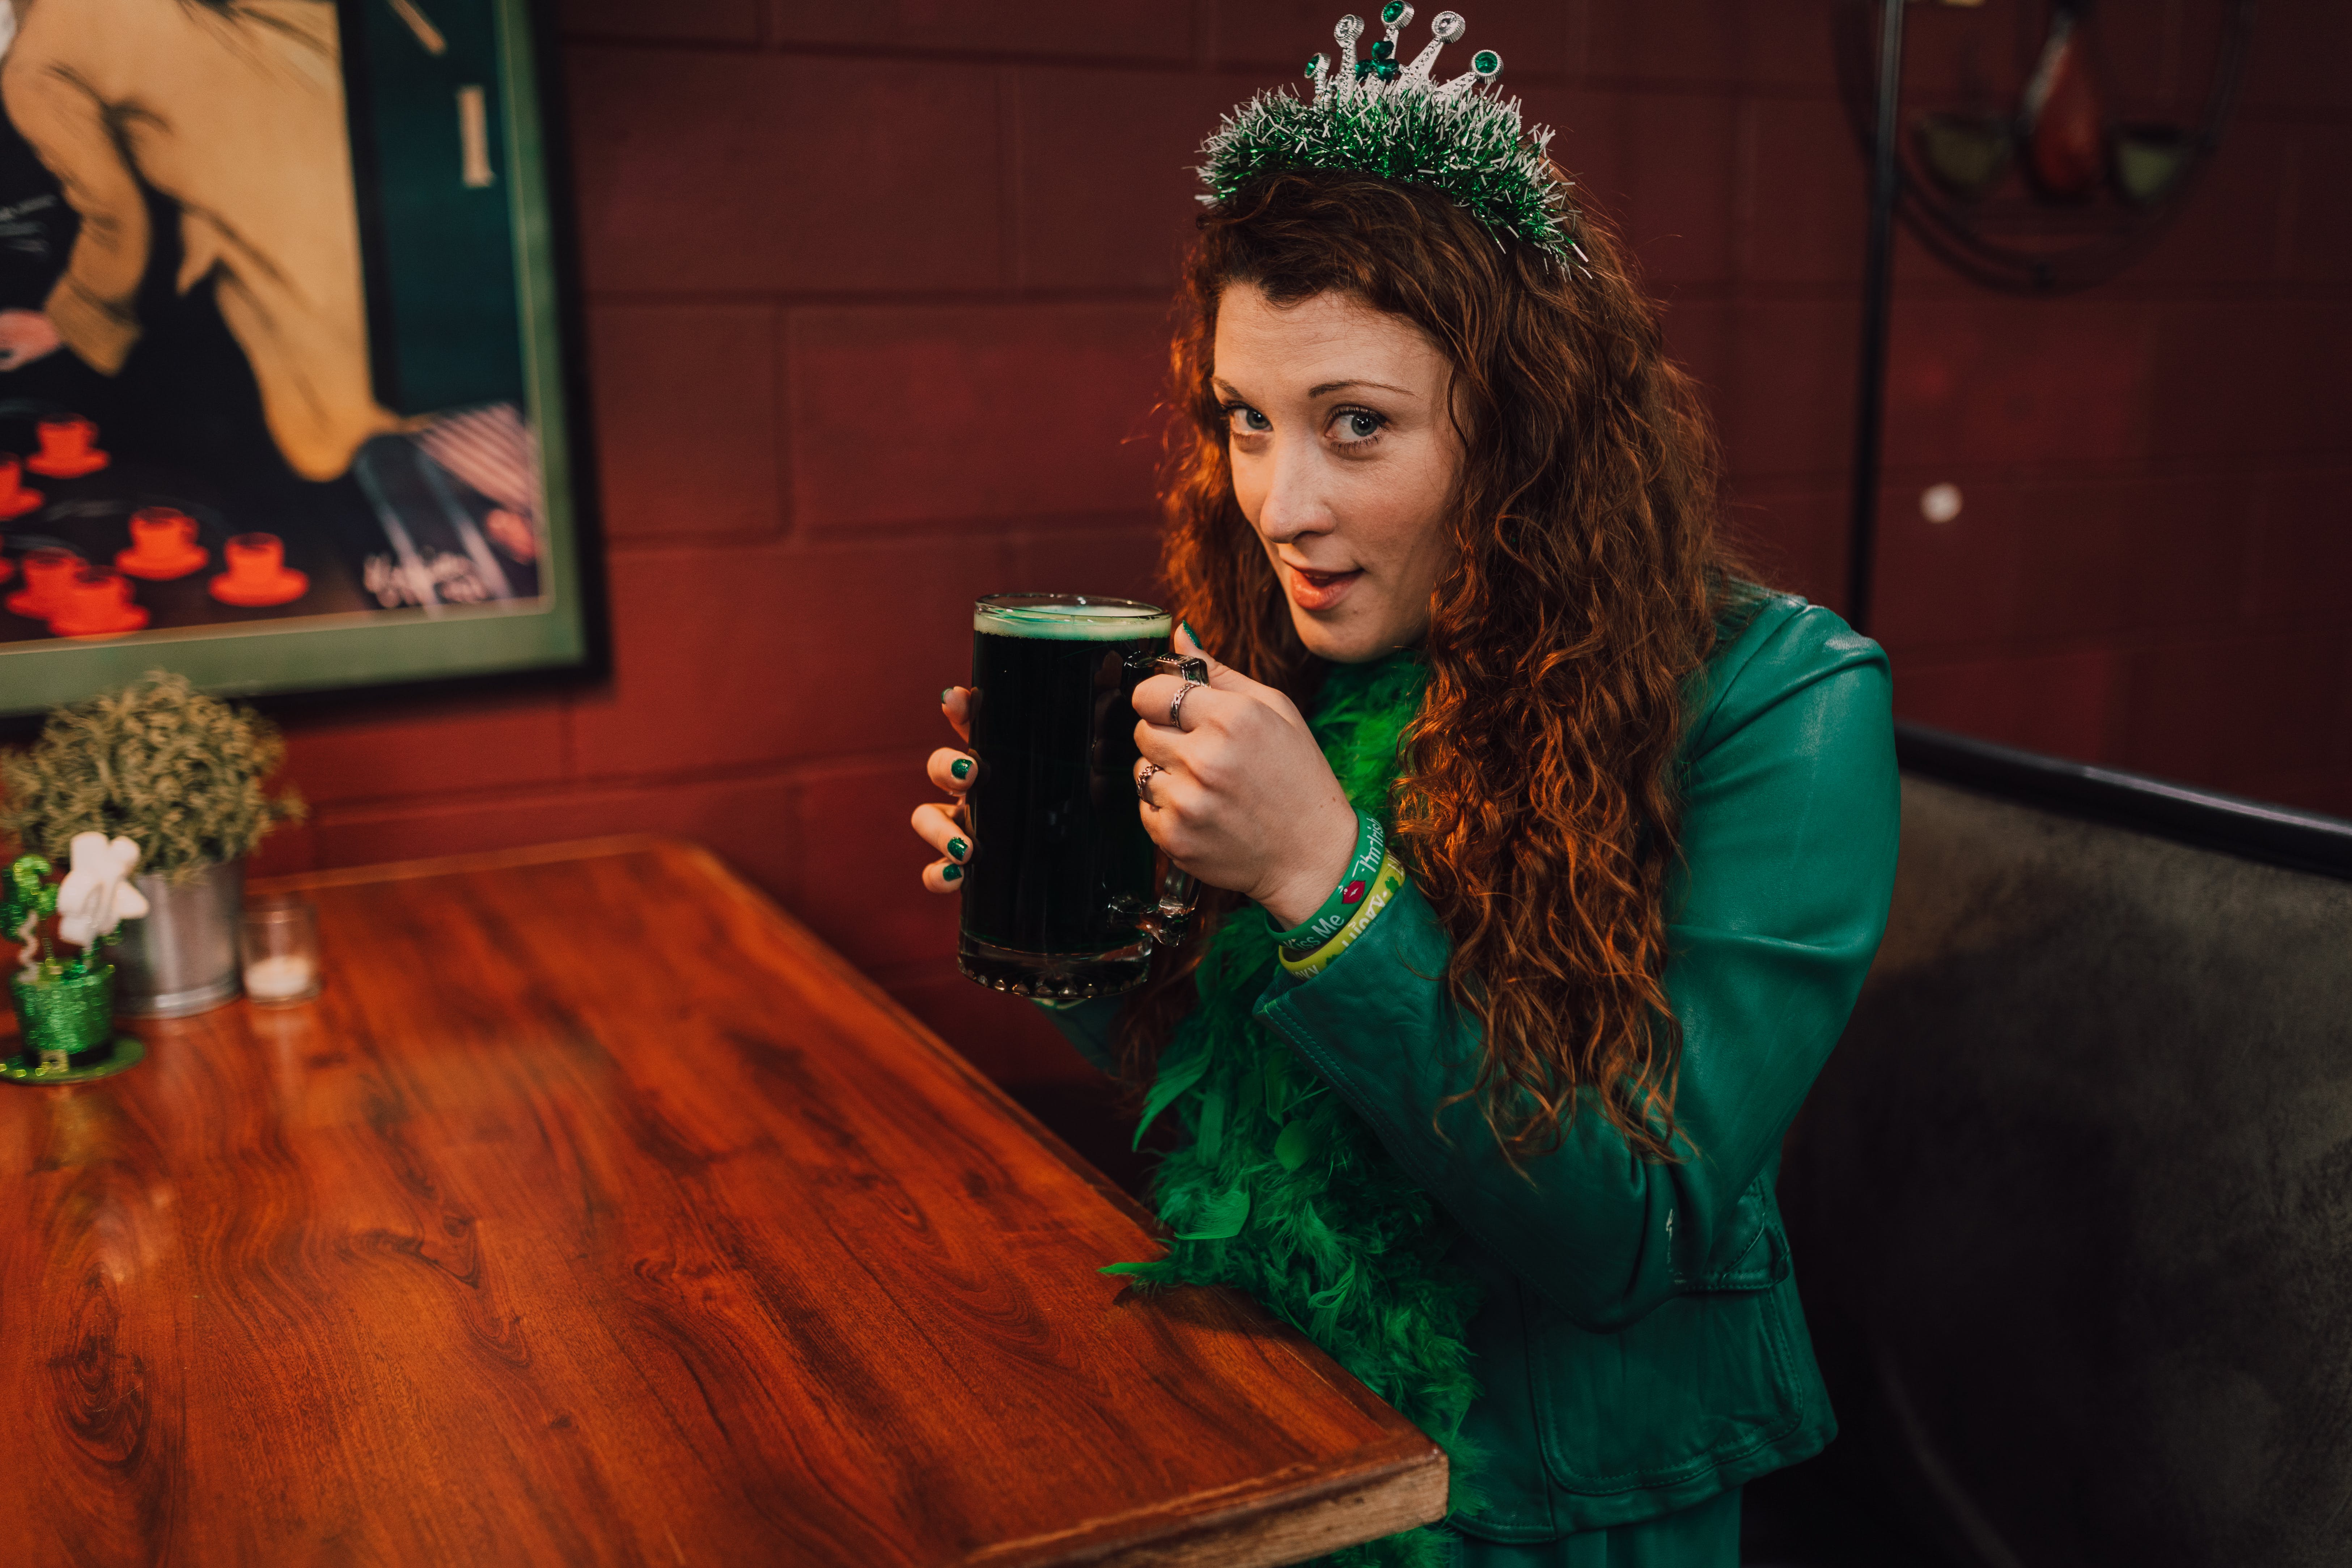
[[1062, 883]]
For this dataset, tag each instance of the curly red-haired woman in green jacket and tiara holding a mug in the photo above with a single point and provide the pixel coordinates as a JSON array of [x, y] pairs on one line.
[[1551, 850]]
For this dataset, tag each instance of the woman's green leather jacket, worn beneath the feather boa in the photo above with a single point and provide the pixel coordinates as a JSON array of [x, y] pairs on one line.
[[1643, 1346]]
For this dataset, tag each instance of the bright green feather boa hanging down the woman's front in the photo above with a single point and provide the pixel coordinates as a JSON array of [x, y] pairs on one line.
[[1281, 1191]]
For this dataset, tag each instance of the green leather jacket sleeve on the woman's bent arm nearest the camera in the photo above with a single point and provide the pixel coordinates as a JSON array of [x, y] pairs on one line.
[[1789, 840]]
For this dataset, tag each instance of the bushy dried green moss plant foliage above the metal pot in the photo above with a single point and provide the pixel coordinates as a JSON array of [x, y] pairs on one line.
[[159, 760]]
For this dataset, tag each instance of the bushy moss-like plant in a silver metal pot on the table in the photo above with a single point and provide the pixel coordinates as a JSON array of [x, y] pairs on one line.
[[182, 775]]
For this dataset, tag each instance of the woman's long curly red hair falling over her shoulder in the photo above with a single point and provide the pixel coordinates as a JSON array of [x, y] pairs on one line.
[[1589, 584]]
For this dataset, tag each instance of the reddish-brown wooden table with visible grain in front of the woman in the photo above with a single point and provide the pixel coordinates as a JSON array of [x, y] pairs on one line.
[[599, 1214]]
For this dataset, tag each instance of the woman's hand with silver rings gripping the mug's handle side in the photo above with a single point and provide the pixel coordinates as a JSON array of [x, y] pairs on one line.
[[1241, 793]]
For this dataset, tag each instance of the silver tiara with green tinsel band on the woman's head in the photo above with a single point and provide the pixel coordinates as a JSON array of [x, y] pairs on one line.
[[1394, 121]]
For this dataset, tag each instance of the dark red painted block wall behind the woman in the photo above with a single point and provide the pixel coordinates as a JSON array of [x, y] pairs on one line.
[[878, 297]]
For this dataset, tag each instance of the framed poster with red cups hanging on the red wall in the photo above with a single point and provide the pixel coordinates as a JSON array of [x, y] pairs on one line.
[[283, 354]]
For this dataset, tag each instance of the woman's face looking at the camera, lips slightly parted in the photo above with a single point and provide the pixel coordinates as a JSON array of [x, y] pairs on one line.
[[1344, 460]]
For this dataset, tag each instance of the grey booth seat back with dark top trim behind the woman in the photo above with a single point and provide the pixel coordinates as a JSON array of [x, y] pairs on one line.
[[2073, 1200]]
